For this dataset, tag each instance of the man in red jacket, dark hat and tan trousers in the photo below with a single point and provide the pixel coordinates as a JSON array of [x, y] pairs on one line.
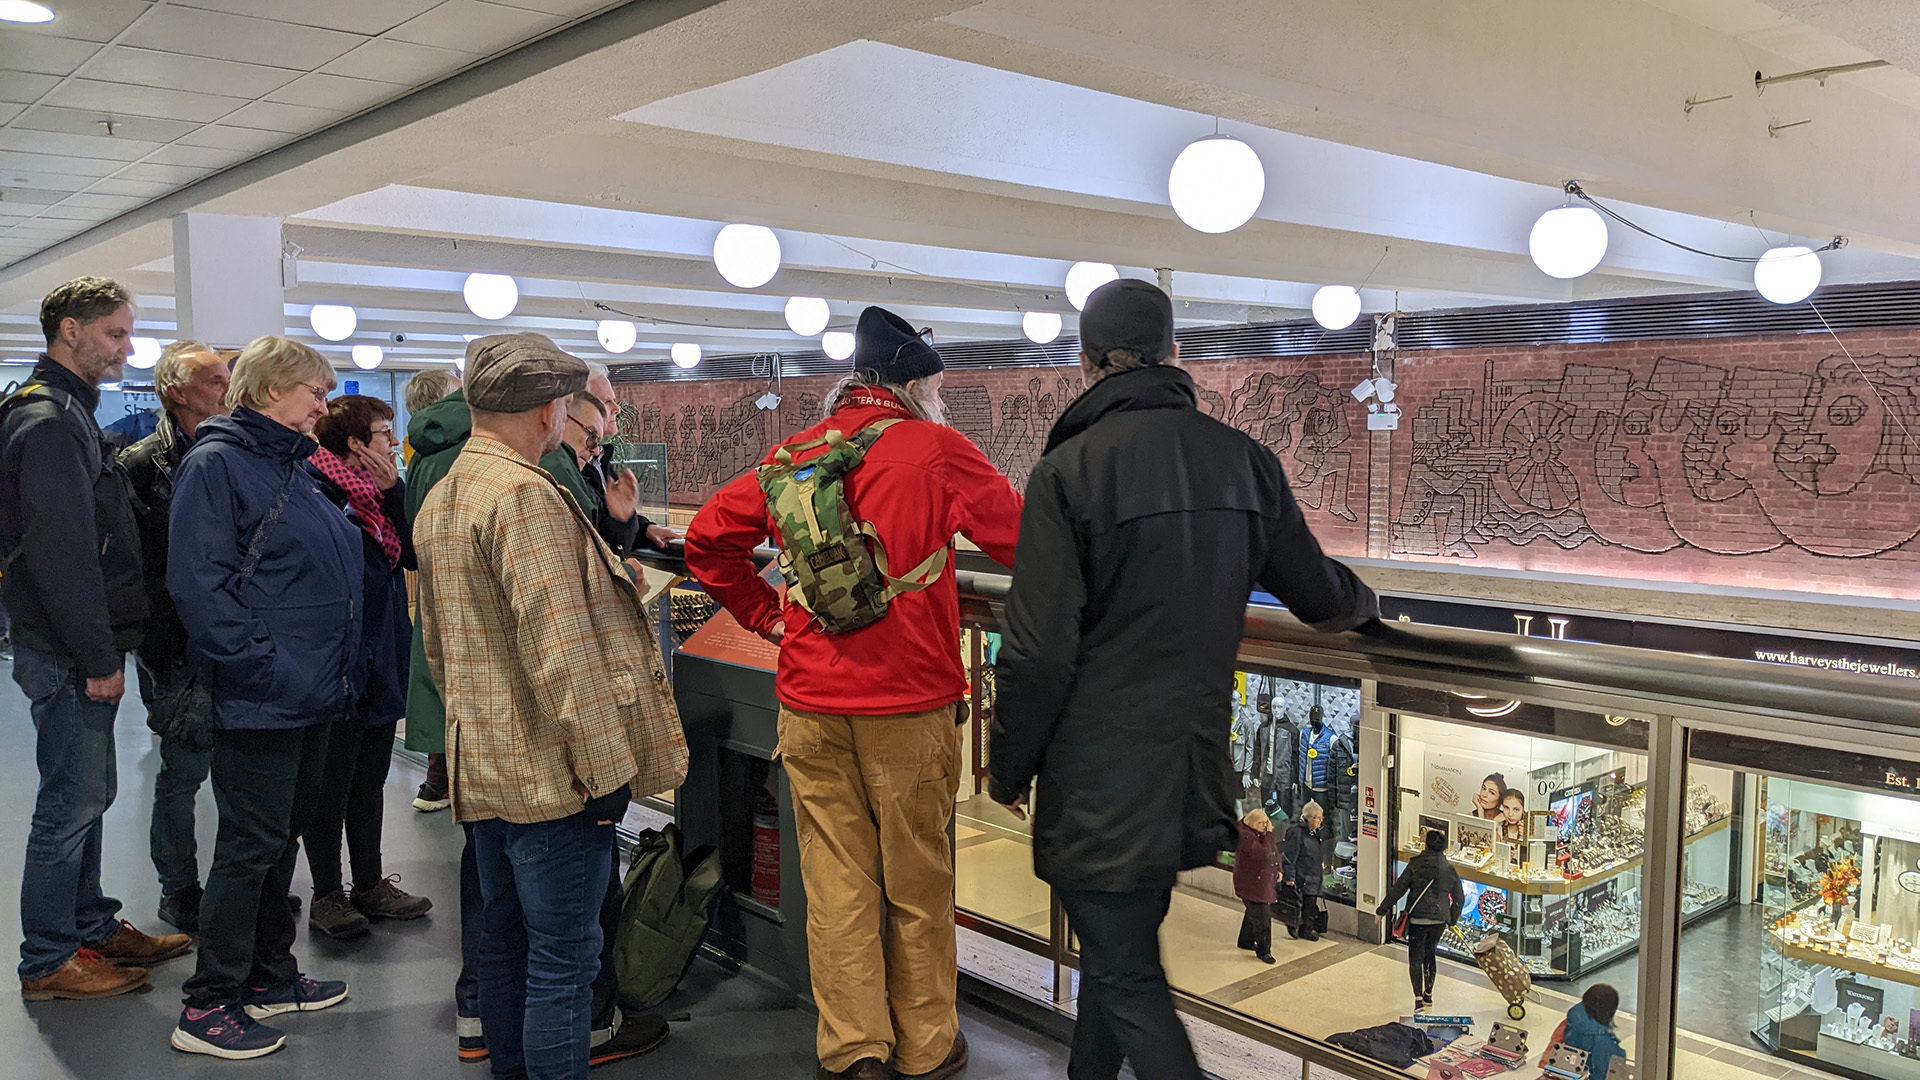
[[867, 718]]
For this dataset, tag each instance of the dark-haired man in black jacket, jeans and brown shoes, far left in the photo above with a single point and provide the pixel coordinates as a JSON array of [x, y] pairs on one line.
[[72, 558]]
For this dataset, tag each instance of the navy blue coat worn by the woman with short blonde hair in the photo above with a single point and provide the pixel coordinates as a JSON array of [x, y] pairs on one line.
[[285, 647]]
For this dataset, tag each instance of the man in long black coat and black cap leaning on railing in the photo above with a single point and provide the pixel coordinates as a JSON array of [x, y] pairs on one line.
[[1145, 531]]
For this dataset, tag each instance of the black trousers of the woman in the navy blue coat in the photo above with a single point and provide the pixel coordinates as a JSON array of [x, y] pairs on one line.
[[266, 785]]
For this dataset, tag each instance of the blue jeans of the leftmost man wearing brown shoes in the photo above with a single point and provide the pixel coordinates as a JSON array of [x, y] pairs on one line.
[[60, 904]]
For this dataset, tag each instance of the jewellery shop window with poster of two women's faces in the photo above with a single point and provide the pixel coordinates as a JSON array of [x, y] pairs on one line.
[[1548, 839]]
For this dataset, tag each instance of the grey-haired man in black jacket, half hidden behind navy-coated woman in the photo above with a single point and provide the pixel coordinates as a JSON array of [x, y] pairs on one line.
[[191, 381]]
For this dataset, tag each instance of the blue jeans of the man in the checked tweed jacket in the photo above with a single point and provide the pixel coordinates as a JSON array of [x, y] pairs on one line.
[[542, 887]]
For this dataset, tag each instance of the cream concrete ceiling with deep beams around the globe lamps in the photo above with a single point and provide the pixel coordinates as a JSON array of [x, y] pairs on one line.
[[953, 159]]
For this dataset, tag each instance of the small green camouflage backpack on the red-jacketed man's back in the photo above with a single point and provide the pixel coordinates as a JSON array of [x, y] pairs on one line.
[[836, 568]]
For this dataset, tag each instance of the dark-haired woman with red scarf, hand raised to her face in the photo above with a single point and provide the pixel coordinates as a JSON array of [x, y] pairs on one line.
[[358, 474]]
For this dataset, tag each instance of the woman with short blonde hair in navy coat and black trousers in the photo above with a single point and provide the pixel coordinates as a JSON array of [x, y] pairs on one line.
[[266, 576]]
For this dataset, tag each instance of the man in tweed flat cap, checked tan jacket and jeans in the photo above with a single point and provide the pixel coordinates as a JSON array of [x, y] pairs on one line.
[[556, 697]]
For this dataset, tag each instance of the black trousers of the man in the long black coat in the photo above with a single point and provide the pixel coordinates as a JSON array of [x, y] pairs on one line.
[[1126, 1010]]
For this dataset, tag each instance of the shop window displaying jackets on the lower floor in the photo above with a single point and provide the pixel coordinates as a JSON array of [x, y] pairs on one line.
[[1295, 741]]
